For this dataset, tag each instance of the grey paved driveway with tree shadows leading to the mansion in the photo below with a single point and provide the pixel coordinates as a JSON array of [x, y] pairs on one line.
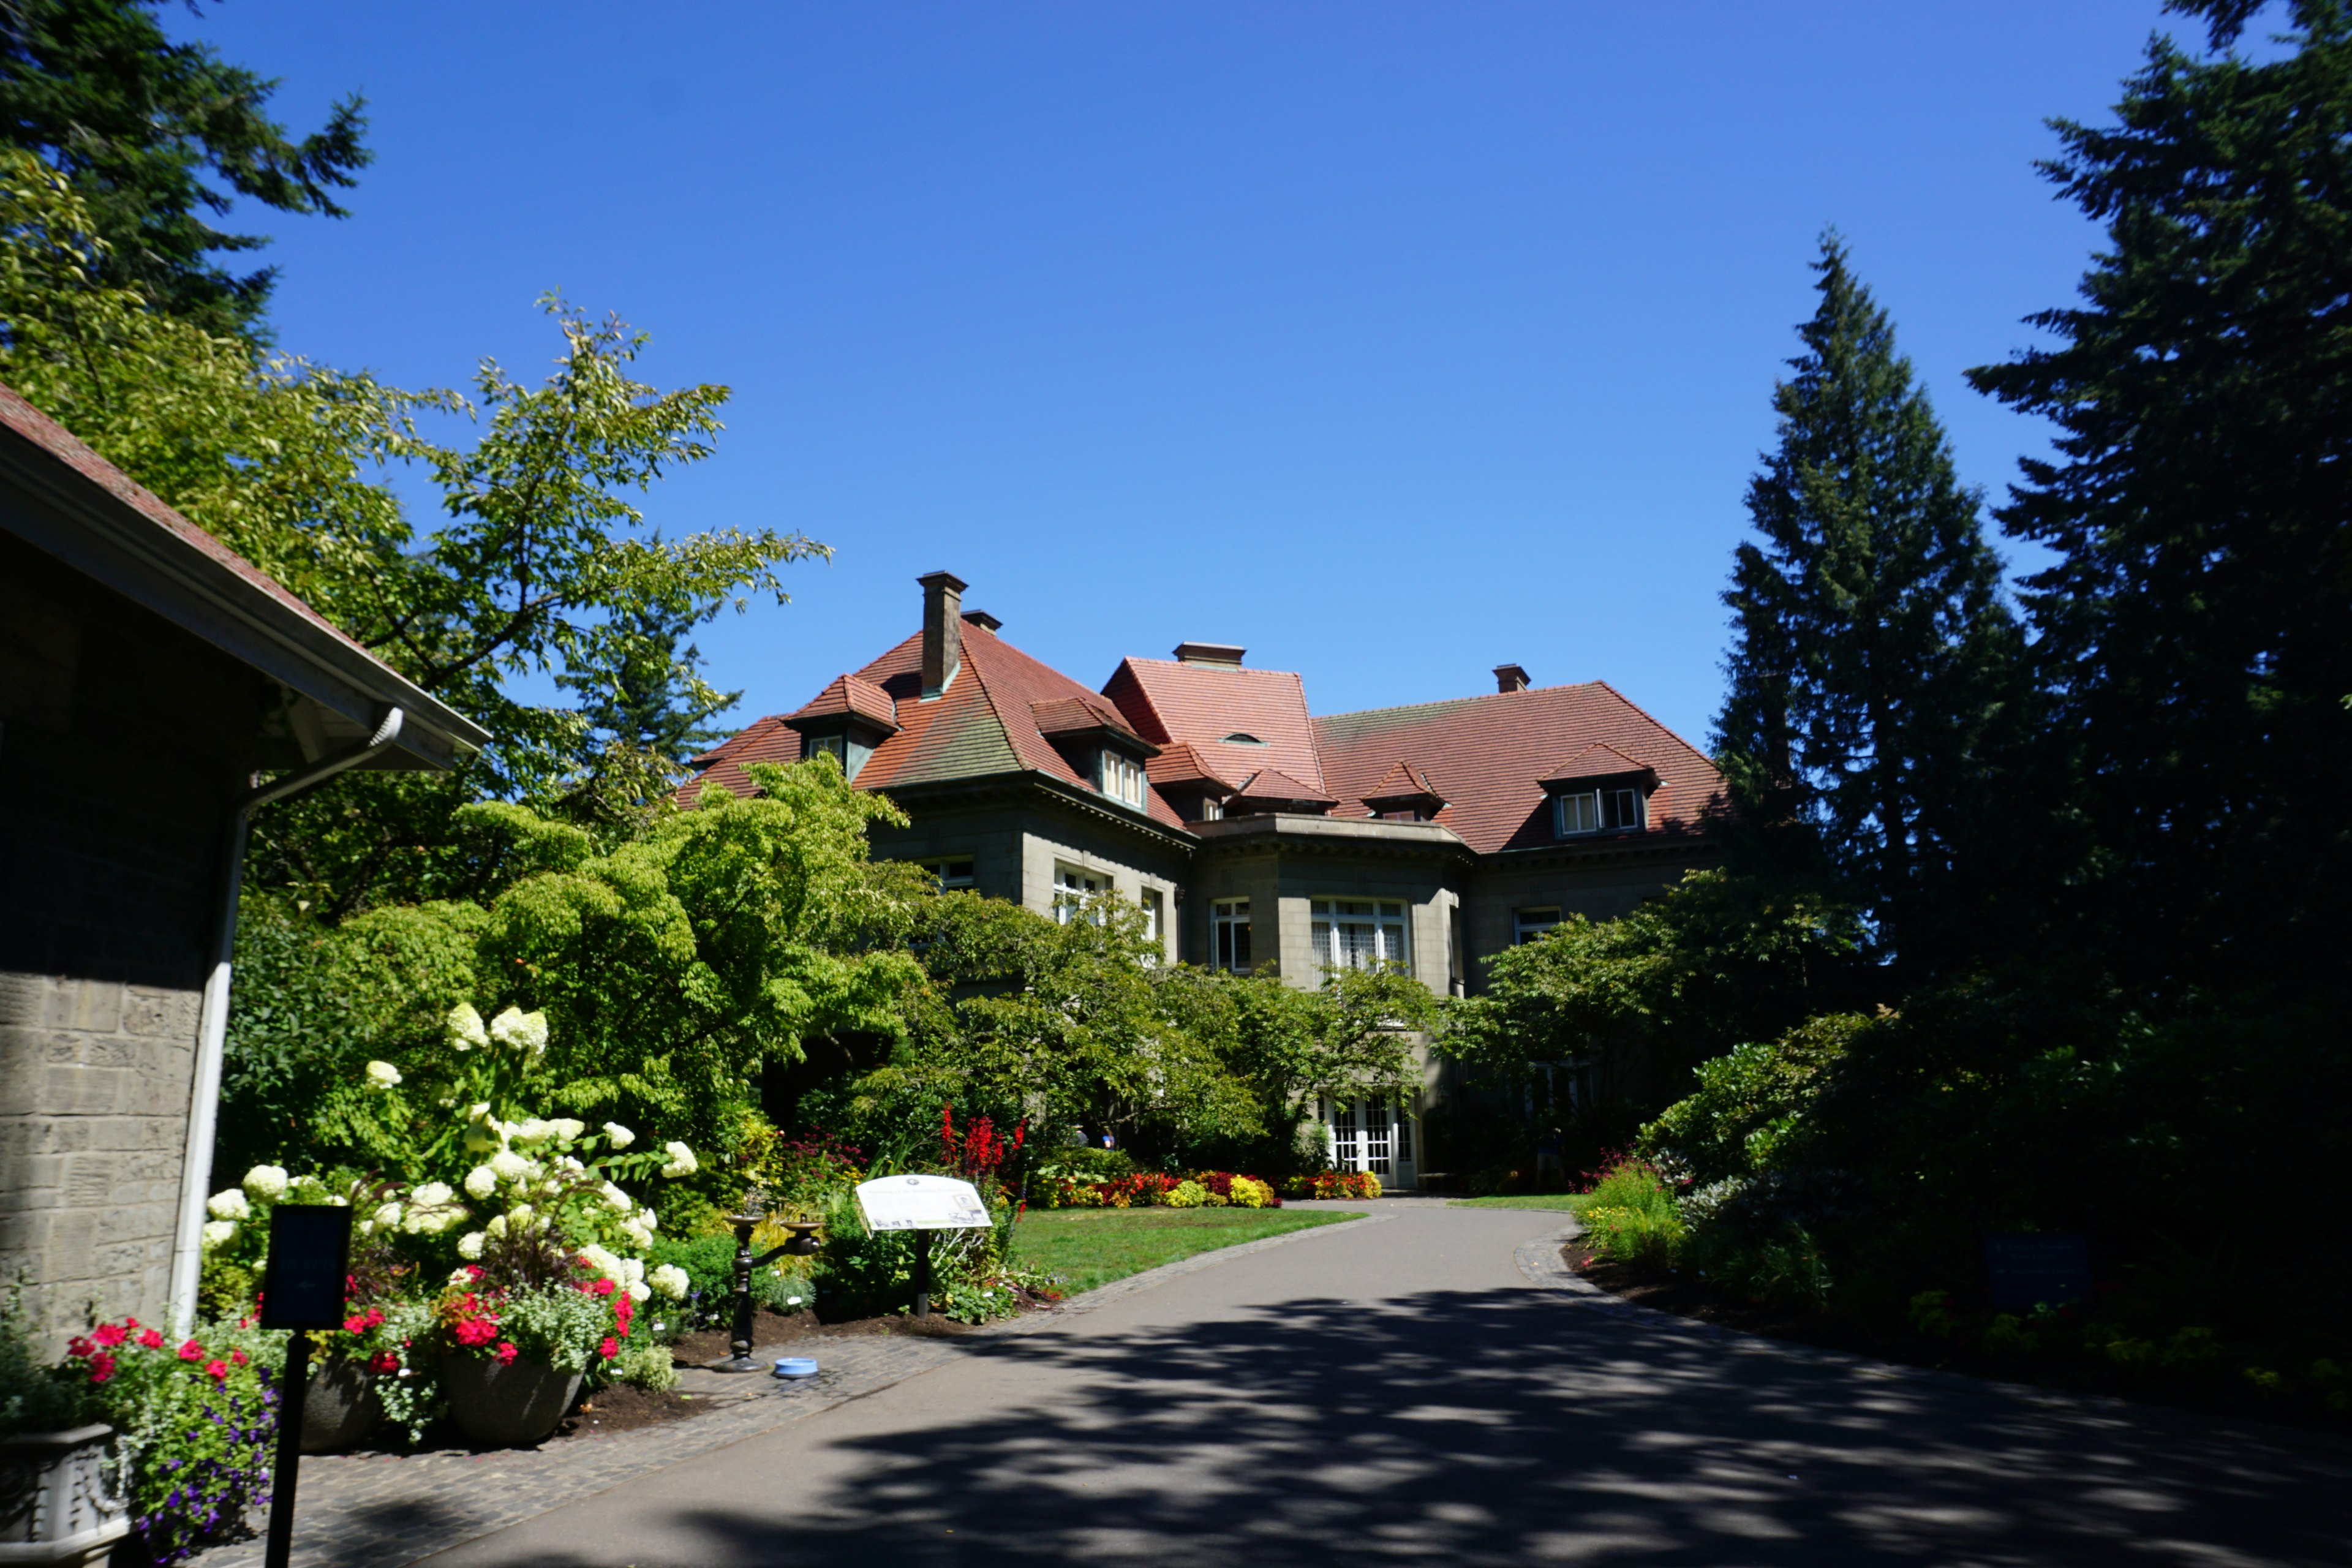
[[1398, 1393]]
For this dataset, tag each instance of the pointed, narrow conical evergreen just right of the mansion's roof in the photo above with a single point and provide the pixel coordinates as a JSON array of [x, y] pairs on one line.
[[1873, 650]]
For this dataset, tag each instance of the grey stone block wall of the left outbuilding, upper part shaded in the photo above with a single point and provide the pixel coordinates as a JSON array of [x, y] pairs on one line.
[[123, 749]]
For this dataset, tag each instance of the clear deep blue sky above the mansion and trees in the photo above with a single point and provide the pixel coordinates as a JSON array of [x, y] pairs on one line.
[[1391, 342]]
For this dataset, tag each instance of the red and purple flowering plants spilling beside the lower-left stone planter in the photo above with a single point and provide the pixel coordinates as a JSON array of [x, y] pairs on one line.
[[196, 1423]]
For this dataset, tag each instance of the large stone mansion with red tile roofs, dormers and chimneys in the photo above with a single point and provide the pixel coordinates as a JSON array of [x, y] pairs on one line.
[[1243, 826]]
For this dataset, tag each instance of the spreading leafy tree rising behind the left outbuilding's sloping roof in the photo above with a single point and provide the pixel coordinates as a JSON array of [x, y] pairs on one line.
[[542, 565]]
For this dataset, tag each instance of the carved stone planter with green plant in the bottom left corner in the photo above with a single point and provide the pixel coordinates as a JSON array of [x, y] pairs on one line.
[[60, 1482]]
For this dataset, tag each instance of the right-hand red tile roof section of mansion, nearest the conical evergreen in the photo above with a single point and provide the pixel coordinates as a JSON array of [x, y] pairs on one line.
[[1488, 756]]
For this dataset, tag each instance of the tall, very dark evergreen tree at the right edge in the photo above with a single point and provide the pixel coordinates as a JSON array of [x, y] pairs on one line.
[[2198, 624]]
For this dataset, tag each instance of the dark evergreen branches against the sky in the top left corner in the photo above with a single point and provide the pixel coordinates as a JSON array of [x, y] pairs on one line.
[[135, 121]]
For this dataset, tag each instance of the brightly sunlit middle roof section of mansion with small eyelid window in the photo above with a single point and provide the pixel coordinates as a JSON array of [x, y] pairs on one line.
[[1203, 704]]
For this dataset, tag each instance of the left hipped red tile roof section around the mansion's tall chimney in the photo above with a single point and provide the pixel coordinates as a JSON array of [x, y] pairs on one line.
[[984, 723]]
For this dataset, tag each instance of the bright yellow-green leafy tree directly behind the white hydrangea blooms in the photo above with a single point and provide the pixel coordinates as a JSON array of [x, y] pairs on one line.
[[671, 970]]
